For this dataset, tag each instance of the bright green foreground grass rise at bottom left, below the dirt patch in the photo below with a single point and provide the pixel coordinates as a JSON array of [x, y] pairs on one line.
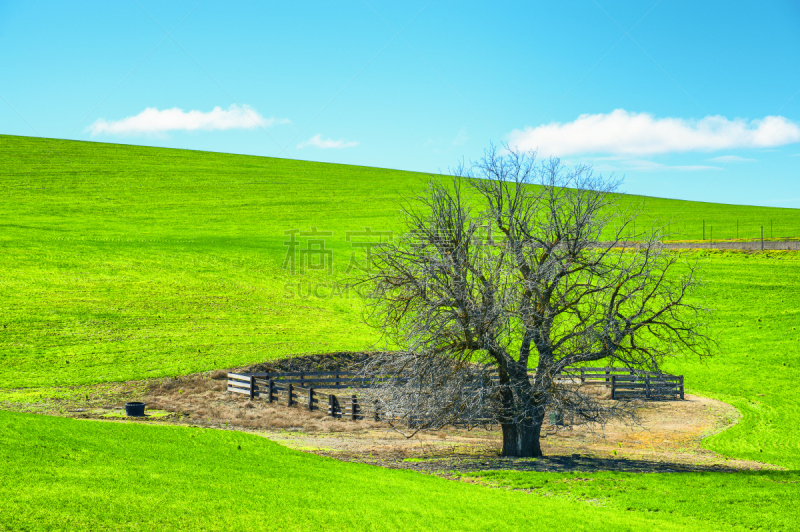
[[181, 478]]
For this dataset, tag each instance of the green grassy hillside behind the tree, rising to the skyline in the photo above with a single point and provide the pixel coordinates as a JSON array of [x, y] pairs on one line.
[[123, 262]]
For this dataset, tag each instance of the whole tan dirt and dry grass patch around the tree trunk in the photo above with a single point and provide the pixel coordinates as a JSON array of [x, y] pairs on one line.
[[669, 437]]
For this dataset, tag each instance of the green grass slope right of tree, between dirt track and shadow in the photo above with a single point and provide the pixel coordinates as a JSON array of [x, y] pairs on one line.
[[756, 321]]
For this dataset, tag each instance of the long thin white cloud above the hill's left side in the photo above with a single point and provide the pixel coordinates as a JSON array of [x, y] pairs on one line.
[[151, 121]]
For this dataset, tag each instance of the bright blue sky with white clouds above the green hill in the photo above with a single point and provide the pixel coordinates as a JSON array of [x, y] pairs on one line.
[[687, 100]]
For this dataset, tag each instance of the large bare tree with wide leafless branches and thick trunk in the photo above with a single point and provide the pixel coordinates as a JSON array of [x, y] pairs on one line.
[[516, 265]]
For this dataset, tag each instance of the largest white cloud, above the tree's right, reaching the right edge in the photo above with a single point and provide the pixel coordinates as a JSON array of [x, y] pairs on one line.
[[621, 132]]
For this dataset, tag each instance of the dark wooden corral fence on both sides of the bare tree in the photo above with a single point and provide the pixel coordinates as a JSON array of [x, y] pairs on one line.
[[311, 390]]
